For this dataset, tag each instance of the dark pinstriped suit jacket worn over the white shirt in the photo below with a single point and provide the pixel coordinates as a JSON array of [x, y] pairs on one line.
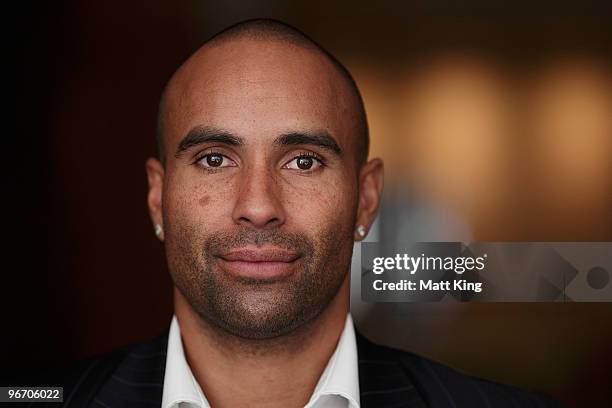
[[388, 378]]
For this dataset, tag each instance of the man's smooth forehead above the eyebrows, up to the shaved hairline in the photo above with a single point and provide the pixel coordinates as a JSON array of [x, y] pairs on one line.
[[257, 88]]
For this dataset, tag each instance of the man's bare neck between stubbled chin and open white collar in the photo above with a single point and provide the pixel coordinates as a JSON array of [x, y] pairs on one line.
[[282, 371]]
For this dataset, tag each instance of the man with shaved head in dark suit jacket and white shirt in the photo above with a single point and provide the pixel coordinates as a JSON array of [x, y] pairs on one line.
[[261, 188]]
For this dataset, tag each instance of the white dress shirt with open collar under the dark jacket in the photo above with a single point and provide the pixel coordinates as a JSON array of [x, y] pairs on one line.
[[338, 386]]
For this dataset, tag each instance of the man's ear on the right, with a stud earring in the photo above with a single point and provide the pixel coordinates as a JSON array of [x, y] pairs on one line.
[[370, 192]]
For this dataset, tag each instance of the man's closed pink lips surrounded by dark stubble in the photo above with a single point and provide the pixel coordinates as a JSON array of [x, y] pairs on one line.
[[259, 263]]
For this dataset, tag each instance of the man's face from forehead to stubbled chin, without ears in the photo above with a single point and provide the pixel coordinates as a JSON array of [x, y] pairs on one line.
[[260, 186]]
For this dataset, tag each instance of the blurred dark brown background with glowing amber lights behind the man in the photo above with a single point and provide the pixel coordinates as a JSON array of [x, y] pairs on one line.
[[495, 124]]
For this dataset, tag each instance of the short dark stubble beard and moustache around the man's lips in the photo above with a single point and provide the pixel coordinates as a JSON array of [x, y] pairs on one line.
[[251, 308]]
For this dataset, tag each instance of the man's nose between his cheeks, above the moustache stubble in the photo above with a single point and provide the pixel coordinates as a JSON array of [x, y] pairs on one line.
[[259, 203]]
